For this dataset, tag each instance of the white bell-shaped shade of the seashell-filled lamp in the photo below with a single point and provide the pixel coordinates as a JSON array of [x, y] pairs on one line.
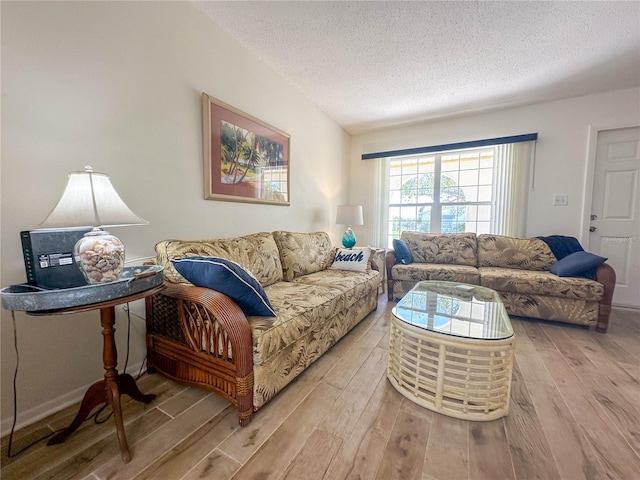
[[89, 200]]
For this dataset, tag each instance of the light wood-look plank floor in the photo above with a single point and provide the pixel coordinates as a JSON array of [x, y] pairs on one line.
[[575, 414]]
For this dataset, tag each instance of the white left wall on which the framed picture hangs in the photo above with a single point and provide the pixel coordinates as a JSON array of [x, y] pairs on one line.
[[117, 85]]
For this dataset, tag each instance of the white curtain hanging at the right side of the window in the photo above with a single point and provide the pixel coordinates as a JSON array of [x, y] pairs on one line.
[[513, 162]]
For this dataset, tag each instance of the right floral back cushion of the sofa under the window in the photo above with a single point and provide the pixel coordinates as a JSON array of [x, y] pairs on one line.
[[512, 252]]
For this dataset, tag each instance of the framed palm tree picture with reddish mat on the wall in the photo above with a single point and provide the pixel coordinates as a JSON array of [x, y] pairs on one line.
[[245, 159]]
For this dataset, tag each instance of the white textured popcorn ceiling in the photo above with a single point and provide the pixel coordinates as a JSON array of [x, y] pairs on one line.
[[372, 65]]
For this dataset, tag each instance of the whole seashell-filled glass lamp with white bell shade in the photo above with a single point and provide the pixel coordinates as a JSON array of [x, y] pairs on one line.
[[89, 200]]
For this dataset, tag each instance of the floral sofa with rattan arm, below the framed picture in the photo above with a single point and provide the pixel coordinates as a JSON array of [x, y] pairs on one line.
[[199, 336]]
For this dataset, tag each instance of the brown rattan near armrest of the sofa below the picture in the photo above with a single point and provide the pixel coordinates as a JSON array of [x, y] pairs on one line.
[[204, 330]]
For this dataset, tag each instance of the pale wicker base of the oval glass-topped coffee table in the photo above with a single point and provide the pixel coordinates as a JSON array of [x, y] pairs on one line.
[[459, 377]]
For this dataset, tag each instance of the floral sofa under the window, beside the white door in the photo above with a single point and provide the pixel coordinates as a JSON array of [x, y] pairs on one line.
[[517, 268]]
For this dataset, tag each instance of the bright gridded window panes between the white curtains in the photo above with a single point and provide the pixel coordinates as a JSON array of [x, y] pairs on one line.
[[446, 192]]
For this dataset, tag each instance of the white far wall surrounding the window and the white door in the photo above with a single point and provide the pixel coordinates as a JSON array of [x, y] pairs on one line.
[[561, 165]]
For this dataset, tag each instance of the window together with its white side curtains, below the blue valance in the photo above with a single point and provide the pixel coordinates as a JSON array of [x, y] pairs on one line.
[[482, 189]]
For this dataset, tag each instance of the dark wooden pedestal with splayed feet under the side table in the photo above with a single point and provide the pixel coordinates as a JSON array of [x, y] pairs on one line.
[[108, 390]]
